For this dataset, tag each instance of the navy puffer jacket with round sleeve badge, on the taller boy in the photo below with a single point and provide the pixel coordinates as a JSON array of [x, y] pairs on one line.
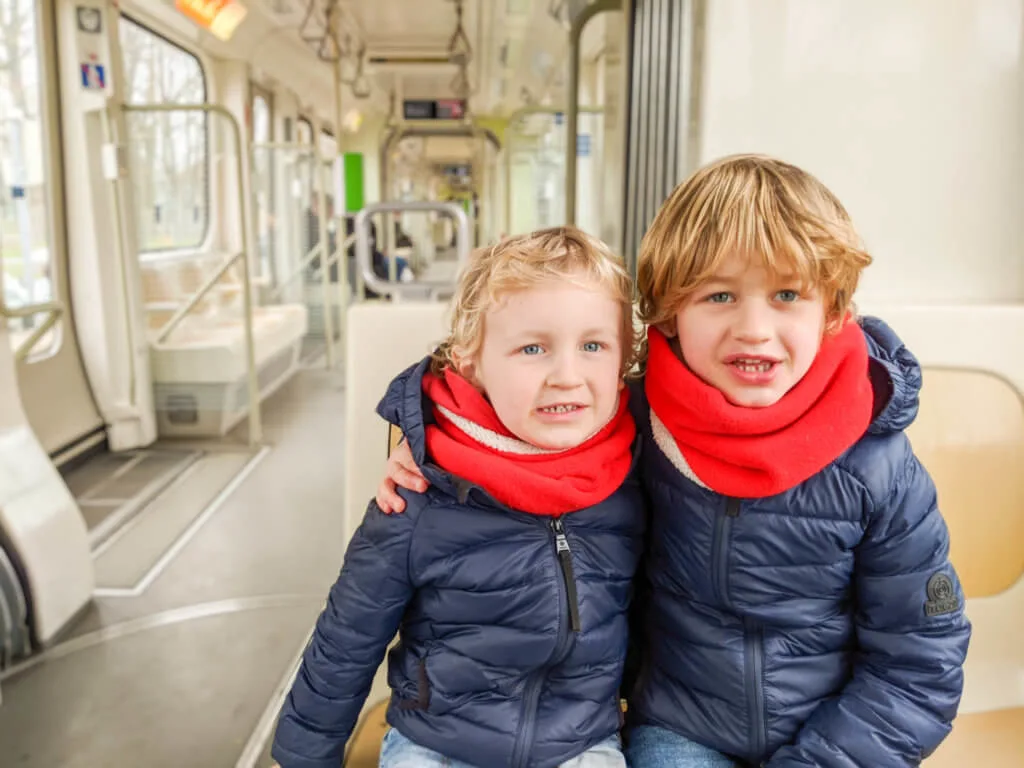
[[821, 627]]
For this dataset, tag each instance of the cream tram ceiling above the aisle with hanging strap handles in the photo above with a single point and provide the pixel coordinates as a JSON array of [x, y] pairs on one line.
[[501, 55]]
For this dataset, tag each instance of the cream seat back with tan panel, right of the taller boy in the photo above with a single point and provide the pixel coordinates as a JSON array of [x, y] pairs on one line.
[[970, 433]]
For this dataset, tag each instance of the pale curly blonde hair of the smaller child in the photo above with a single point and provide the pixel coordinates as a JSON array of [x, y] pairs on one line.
[[562, 254]]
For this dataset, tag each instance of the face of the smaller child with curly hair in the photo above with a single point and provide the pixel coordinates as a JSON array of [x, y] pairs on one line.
[[550, 363]]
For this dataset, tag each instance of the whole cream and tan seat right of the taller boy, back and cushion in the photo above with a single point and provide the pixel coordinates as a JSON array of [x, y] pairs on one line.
[[970, 436]]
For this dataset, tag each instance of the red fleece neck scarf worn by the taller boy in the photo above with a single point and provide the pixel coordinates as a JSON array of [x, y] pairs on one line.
[[758, 452]]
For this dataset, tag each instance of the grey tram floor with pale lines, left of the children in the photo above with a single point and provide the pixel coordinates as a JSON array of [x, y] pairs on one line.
[[180, 667]]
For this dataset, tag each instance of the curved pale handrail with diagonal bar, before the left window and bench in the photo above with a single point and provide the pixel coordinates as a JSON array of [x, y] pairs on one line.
[[255, 422]]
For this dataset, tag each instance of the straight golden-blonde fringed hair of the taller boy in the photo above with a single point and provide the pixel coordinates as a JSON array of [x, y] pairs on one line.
[[756, 206]]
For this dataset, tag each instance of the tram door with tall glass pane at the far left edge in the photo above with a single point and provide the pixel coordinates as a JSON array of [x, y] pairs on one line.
[[54, 388]]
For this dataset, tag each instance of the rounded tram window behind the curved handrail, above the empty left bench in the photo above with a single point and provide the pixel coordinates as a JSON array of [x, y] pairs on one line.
[[170, 150]]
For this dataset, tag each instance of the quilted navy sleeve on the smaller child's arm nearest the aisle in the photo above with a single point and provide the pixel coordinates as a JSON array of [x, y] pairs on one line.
[[362, 616]]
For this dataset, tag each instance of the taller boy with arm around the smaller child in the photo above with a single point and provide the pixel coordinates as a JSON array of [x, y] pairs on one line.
[[799, 608]]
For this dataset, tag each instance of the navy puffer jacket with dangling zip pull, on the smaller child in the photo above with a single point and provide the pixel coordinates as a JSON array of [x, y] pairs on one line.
[[489, 669]]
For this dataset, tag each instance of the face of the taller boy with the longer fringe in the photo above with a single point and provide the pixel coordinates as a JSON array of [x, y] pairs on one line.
[[751, 334]]
